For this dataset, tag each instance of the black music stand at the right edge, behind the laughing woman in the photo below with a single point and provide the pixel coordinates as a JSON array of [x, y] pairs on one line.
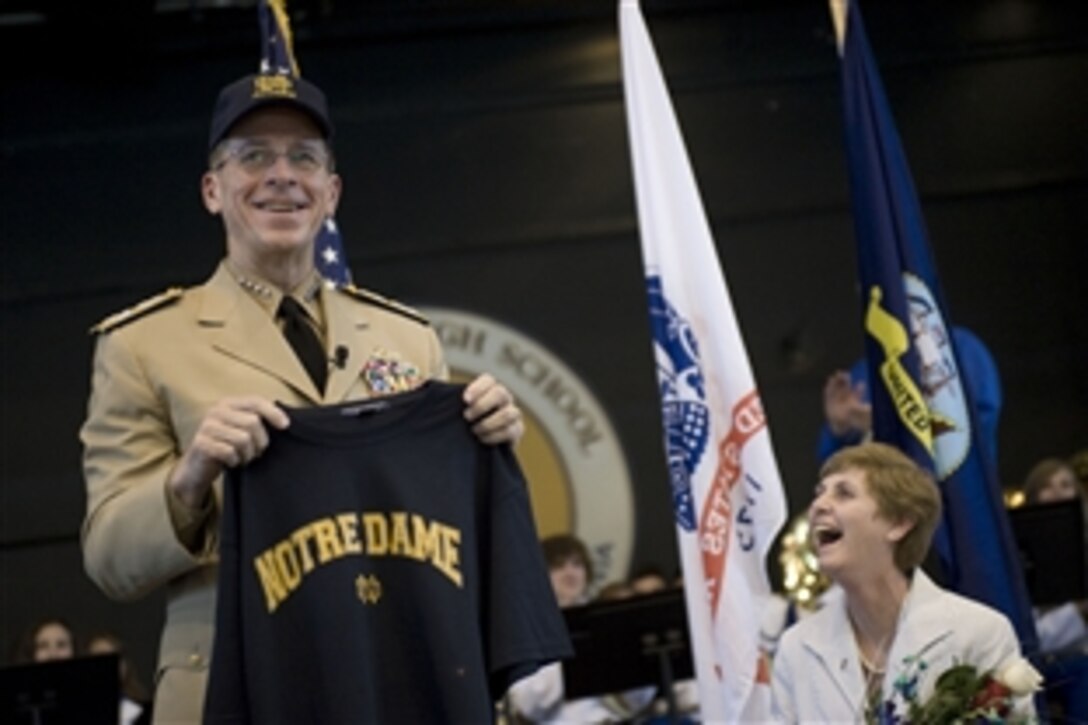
[[1052, 543]]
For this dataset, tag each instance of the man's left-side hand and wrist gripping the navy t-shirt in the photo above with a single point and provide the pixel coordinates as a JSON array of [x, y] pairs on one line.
[[232, 434]]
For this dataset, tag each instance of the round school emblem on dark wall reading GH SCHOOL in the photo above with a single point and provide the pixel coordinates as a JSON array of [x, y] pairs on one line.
[[572, 458]]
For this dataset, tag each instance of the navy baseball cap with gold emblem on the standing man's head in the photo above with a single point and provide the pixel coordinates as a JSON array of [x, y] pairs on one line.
[[264, 90]]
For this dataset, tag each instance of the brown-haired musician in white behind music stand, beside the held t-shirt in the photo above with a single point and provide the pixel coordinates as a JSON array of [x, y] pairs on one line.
[[539, 698]]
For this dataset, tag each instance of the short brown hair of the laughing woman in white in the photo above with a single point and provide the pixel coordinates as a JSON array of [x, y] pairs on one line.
[[904, 491]]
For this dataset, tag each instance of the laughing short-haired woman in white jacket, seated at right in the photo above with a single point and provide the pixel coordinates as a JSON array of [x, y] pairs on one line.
[[893, 633]]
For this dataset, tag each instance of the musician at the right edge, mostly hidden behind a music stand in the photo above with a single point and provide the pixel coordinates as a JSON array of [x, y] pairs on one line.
[[1062, 630]]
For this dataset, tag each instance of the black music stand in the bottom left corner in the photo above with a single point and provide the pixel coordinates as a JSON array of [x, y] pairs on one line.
[[79, 692]]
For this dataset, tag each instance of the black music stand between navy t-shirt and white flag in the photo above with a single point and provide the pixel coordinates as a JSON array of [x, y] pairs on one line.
[[627, 644]]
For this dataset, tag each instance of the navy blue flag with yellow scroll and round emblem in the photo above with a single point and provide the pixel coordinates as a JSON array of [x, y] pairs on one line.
[[920, 401]]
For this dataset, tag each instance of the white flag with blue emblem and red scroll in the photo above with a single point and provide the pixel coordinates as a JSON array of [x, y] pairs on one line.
[[727, 496]]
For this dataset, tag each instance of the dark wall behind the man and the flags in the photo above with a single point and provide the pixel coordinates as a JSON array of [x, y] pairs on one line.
[[485, 153]]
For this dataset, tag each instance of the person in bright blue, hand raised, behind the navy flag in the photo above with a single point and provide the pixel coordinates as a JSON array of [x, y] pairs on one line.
[[849, 416]]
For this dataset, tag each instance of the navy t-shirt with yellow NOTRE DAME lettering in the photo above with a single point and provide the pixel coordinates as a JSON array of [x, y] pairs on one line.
[[379, 566]]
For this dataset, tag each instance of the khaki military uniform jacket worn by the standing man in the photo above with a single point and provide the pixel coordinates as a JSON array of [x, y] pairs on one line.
[[155, 377]]
